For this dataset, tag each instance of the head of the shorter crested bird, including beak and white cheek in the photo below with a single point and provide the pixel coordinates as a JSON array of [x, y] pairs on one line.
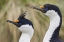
[[24, 24]]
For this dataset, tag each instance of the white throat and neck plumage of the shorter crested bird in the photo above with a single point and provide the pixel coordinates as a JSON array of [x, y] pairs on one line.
[[27, 33]]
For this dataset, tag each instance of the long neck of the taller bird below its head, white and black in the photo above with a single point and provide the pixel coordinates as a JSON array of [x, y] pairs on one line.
[[54, 28]]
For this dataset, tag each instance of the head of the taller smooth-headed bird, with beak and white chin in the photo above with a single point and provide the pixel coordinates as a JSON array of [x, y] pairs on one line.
[[48, 9]]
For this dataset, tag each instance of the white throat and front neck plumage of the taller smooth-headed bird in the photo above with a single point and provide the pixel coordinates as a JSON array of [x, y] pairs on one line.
[[54, 23]]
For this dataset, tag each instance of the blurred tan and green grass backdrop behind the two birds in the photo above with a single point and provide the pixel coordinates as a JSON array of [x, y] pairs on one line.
[[11, 9]]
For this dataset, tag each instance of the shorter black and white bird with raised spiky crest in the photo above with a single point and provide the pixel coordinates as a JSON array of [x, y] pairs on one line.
[[25, 26]]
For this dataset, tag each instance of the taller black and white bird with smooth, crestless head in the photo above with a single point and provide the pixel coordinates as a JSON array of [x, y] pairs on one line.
[[53, 12]]
